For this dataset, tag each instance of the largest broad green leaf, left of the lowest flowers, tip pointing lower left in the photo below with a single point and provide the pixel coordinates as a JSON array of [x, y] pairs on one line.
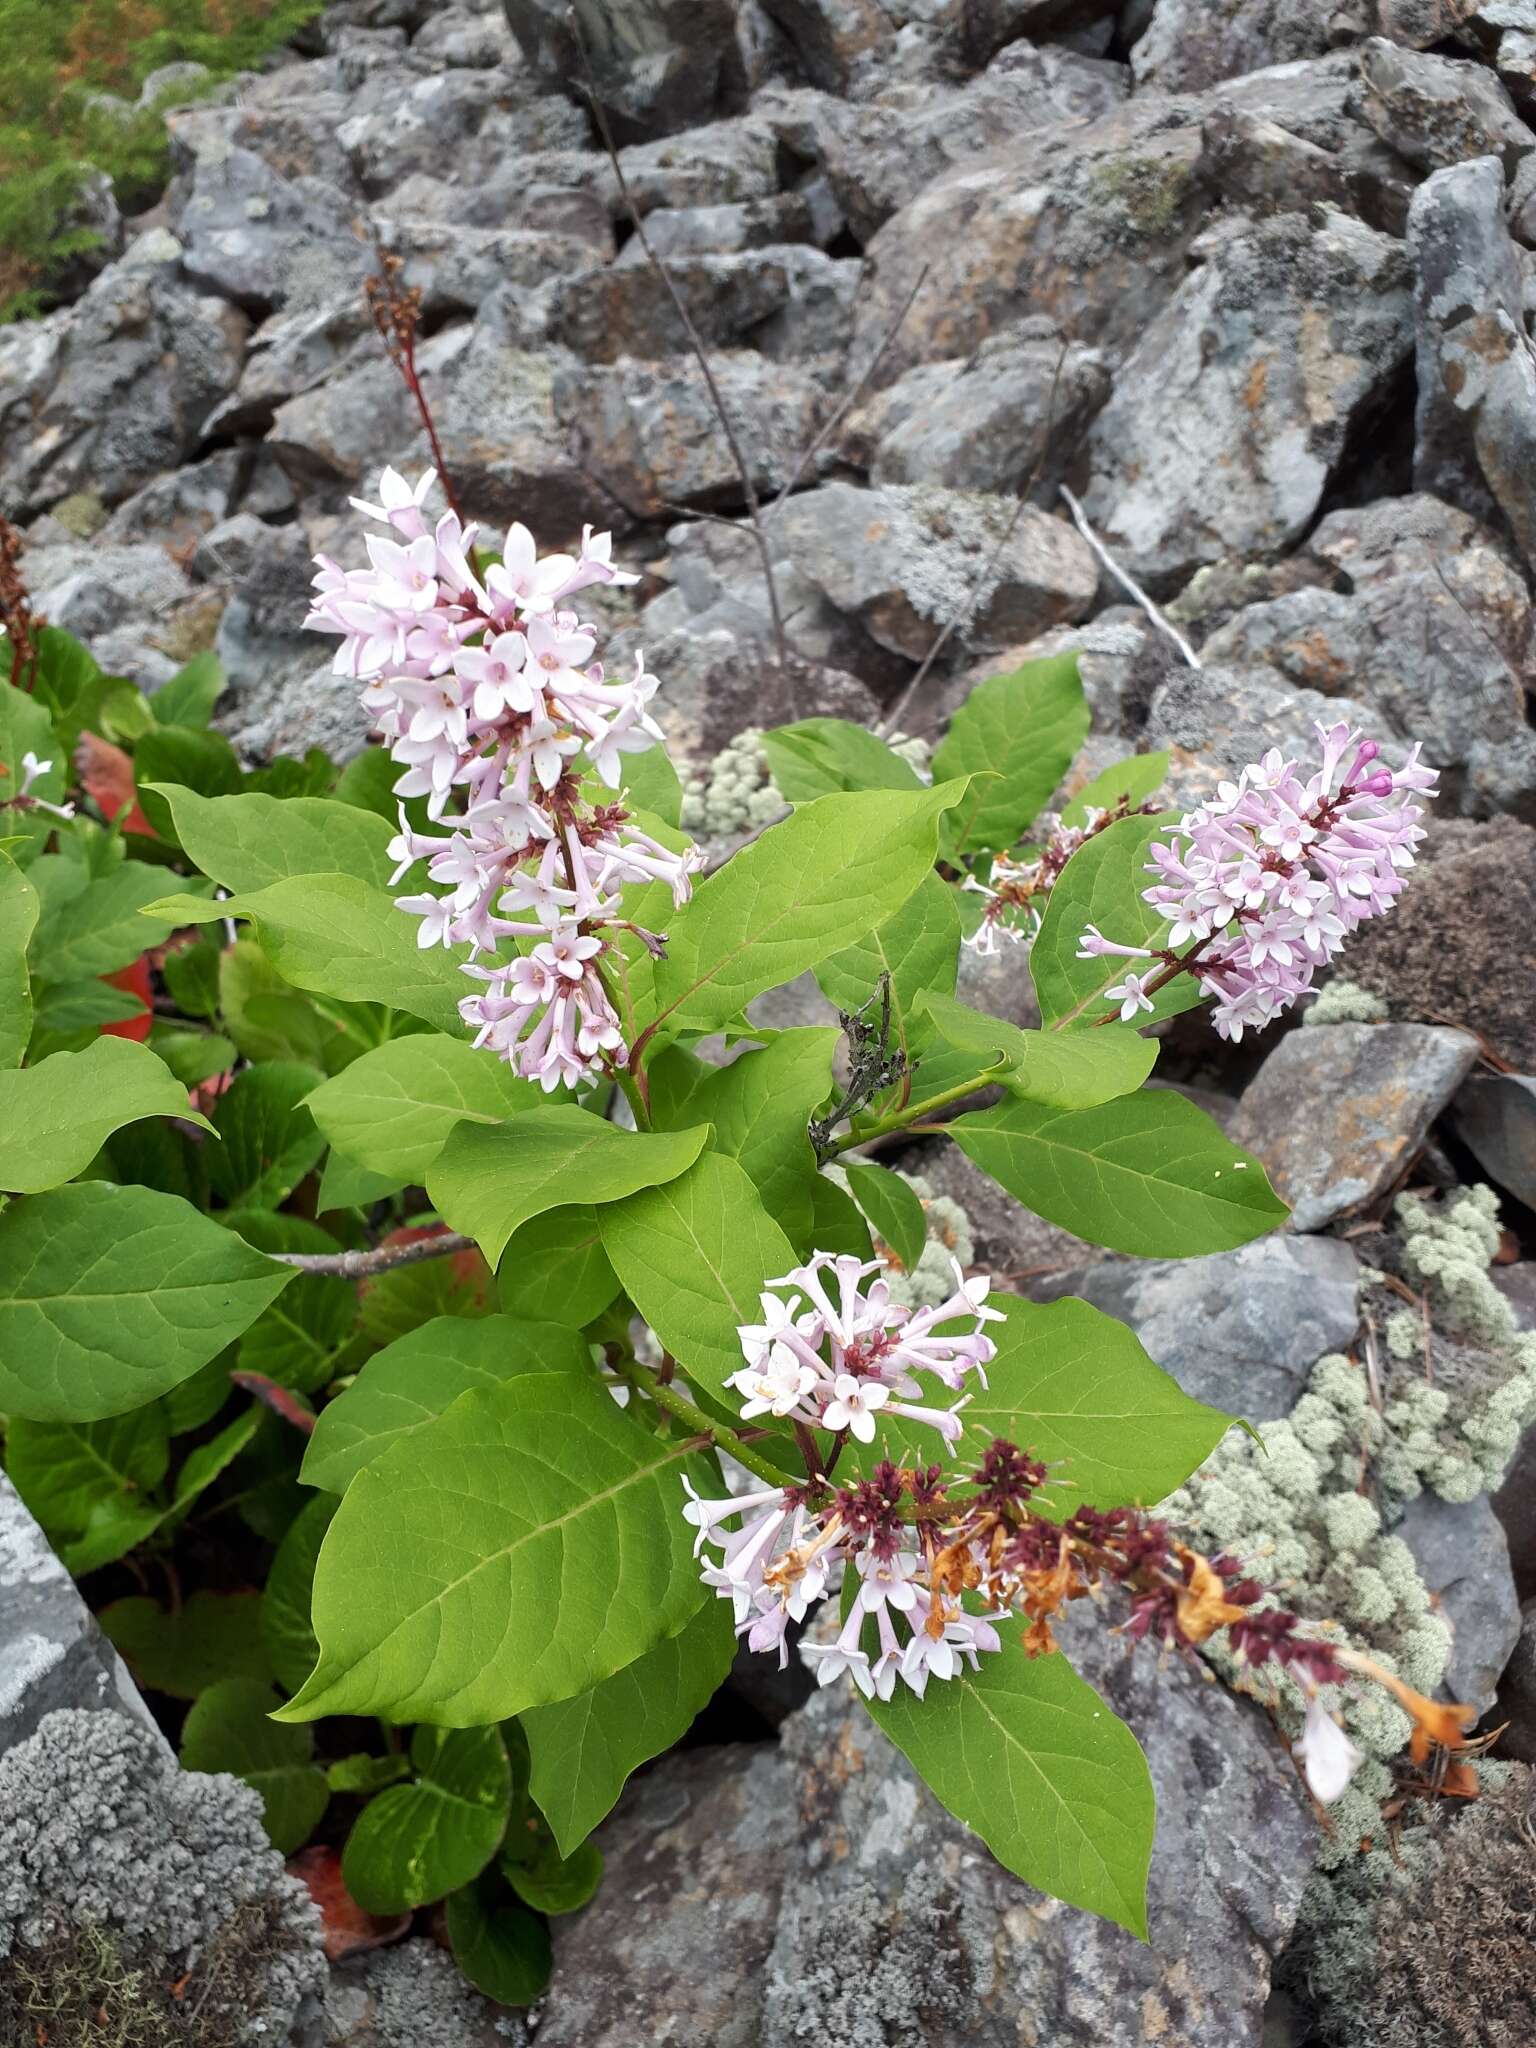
[[515, 1551]]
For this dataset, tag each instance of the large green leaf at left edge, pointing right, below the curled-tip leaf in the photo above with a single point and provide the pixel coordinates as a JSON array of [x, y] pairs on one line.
[[112, 1295]]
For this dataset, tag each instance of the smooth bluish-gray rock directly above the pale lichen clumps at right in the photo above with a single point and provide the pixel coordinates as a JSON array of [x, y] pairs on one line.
[[1240, 1330]]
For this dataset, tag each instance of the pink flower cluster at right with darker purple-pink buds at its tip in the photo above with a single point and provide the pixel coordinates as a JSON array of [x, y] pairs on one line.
[[1269, 880]]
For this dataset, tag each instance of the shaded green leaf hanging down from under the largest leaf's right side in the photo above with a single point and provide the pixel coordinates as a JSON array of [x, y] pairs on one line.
[[585, 1750]]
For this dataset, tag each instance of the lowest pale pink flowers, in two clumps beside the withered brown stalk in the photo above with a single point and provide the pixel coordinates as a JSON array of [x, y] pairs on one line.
[[837, 1355]]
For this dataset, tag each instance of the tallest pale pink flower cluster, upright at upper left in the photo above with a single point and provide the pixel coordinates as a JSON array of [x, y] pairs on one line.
[[486, 691]]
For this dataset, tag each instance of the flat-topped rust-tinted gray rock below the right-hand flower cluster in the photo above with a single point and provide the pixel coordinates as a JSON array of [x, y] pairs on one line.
[[1371, 1095]]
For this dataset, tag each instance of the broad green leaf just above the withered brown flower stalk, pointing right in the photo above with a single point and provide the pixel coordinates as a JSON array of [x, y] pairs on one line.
[[1074, 1388]]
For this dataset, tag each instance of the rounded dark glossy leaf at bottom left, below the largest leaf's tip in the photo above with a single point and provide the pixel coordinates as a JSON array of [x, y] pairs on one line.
[[421, 1842]]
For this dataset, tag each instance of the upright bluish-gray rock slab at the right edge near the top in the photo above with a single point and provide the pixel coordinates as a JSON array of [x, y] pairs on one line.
[[1476, 429]]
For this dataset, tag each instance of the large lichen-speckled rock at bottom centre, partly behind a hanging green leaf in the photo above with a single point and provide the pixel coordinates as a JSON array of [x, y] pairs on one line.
[[822, 1893]]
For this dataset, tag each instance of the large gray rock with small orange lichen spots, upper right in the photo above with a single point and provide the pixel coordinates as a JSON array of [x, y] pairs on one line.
[[1232, 415]]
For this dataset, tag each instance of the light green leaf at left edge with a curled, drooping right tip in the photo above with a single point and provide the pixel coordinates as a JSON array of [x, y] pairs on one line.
[[54, 1117]]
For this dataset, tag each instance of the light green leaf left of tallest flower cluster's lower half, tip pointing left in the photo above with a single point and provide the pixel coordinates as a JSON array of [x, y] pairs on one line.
[[337, 935]]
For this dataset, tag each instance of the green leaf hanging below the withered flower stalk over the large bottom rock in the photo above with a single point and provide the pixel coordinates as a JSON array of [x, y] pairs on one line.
[[1037, 1764]]
